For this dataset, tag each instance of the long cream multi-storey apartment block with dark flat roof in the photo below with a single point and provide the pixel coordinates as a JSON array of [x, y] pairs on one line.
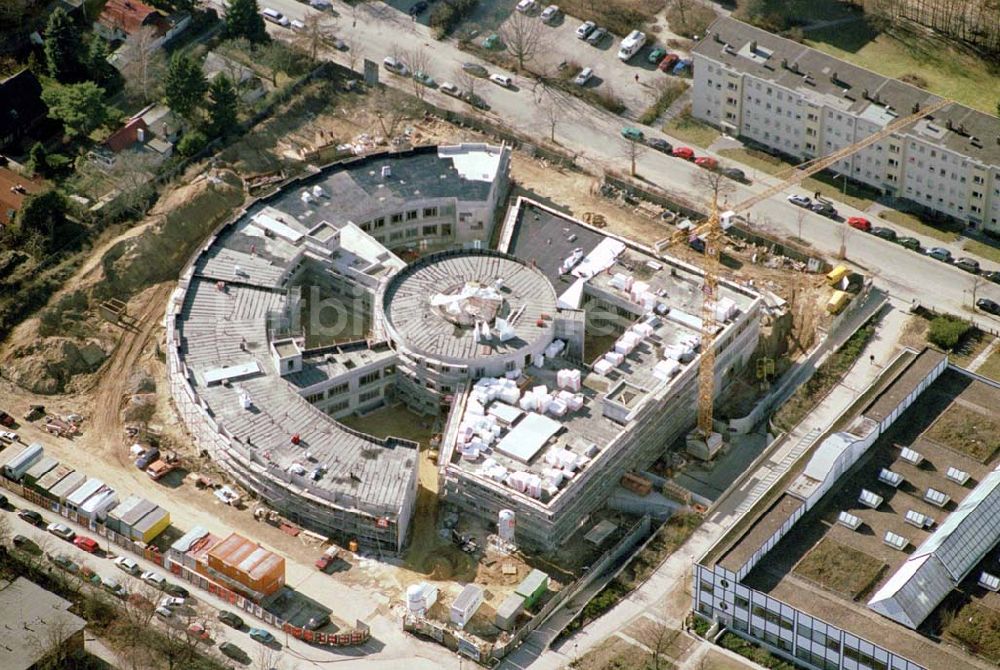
[[806, 104]]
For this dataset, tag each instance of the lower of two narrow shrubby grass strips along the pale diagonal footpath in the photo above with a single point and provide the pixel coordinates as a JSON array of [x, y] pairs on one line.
[[669, 537]]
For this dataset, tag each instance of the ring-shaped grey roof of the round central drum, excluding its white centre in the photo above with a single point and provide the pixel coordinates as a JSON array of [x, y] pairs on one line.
[[423, 329]]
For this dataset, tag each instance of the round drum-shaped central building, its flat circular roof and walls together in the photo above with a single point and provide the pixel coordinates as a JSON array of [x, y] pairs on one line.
[[457, 316]]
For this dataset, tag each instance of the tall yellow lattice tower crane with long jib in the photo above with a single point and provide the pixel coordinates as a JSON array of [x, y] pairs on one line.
[[711, 232]]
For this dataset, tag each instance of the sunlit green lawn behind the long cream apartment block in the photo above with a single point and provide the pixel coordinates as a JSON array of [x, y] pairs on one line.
[[947, 71]]
